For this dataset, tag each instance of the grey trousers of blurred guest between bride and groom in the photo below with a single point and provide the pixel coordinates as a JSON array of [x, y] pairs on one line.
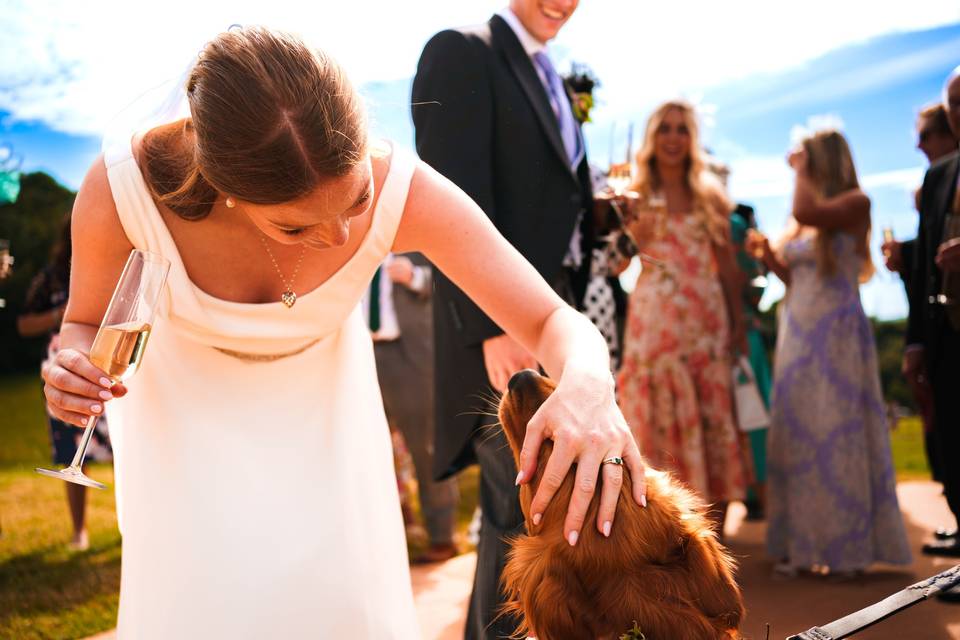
[[408, 401]]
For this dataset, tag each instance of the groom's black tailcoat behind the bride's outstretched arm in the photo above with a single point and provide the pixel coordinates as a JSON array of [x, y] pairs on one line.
[[483, 119]]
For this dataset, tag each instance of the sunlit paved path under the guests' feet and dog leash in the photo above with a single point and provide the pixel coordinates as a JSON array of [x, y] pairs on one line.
[[788, 606]]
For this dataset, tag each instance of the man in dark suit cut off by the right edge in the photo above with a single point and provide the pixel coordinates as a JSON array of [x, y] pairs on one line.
[[933, 330]]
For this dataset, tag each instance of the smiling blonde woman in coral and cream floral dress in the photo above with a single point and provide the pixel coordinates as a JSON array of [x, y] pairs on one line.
[[684, 315]]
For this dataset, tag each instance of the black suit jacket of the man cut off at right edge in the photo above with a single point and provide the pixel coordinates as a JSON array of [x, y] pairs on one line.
[[928, 322]]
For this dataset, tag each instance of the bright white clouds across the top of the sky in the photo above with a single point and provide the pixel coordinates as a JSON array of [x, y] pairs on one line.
[[74, 64]]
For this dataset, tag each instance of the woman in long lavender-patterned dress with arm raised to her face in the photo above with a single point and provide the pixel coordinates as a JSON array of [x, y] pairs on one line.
[[832, 502]]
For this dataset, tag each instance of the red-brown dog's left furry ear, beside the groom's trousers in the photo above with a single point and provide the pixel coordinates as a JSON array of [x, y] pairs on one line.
[[543, 589]]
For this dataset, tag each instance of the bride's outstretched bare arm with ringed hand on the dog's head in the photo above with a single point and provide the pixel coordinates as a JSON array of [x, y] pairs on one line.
[[581, 417]]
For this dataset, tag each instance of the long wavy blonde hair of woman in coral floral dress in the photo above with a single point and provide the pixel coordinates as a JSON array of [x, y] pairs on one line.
[[709, 200]]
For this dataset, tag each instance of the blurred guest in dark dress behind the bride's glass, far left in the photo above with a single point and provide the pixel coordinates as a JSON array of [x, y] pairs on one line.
[[42, 315]]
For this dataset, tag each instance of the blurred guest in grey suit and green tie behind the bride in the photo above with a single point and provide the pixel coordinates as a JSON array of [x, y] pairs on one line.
[[400, 316]]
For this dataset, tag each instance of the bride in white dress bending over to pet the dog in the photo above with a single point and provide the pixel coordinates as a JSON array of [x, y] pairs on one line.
[[254, 478]]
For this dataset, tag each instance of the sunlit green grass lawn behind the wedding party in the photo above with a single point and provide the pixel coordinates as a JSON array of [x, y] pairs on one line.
[[49, 592]]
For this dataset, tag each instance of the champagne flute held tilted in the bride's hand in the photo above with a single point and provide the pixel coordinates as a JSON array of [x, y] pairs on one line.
[[119, 345]]
